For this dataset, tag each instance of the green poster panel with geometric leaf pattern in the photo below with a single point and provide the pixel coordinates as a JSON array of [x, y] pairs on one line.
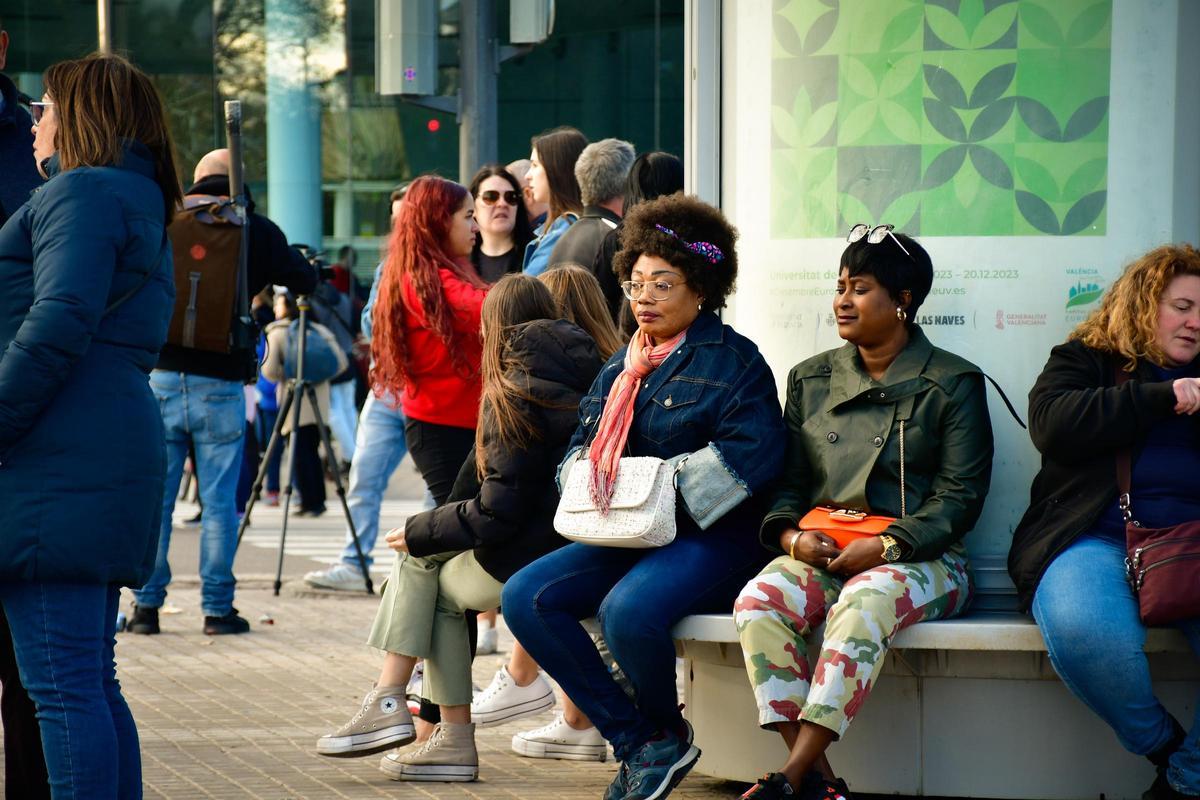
[[946, 118]]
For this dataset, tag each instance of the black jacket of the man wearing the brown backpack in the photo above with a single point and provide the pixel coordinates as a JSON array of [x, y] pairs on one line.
[[271, 261]]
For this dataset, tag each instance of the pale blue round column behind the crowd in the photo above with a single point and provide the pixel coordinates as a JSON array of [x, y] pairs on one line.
[[293, 125]]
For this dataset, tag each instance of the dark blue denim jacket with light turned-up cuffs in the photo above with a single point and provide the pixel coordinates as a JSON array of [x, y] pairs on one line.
[[711, 408]]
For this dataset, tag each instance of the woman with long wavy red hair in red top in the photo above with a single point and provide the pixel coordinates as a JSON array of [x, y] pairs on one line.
[[427, 347]]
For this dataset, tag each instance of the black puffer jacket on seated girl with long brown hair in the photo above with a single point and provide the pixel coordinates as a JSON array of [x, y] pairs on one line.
[[509, 524]]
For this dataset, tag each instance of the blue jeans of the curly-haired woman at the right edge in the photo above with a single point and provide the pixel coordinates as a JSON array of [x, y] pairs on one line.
[[1089, 619]]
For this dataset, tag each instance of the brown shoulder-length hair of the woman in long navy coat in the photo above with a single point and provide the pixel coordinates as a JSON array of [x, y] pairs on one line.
[[100, 103]]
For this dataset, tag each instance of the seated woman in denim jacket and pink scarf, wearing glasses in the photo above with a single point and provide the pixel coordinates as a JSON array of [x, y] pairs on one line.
[[692, 392]]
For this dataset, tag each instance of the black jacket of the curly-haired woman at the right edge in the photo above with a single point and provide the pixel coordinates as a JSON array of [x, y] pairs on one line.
[[1079, 419]]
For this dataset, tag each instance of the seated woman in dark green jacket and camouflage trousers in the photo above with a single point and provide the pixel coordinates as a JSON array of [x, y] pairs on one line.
[[887, 425]]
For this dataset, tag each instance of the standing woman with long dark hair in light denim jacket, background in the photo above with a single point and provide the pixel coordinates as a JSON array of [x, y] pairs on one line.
[[551, 179]]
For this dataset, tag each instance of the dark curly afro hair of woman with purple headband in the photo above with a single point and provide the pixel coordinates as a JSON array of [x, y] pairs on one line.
[[693, 221]]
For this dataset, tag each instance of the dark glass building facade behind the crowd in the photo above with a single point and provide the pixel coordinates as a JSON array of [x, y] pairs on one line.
[[305, 74]]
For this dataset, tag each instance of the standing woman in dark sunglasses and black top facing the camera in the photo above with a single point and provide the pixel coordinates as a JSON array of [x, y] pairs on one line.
[[503, 224]]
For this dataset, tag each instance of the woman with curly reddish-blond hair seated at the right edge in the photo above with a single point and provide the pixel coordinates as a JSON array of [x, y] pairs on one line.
[[1127, 381]]
